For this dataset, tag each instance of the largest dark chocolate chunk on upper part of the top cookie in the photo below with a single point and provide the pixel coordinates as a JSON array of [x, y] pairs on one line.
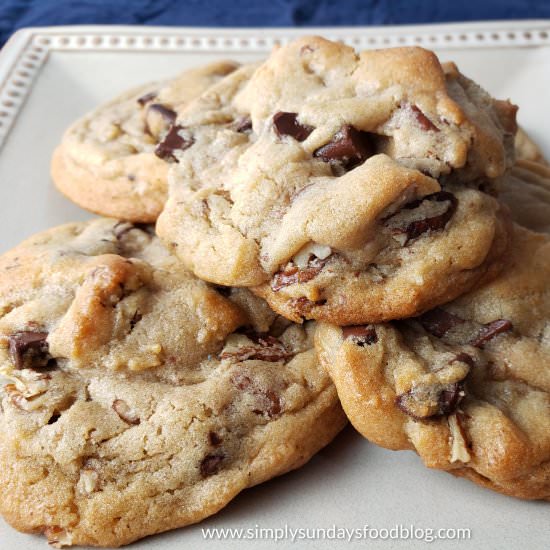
[[349, 147]]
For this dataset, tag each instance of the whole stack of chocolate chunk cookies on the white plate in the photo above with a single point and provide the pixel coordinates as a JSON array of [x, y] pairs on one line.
[[331, 235]]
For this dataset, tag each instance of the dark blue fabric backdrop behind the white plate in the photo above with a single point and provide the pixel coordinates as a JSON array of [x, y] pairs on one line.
[[15, 14]]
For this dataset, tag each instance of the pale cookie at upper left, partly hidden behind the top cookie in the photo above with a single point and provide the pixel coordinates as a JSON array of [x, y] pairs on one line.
[[106, 163]]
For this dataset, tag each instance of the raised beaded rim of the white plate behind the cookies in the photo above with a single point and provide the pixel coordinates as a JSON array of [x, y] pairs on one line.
[[28, 49]]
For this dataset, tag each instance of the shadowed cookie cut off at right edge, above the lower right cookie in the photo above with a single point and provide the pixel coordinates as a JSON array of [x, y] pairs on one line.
[[526, 191]]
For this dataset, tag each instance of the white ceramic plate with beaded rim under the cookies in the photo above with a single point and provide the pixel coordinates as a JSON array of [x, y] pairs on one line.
[[50, 76]]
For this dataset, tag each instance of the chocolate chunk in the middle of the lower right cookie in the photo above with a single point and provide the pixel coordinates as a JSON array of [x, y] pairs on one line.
[[422, 403]]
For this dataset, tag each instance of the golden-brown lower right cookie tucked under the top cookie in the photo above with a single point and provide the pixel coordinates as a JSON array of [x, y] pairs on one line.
[[466, 385]]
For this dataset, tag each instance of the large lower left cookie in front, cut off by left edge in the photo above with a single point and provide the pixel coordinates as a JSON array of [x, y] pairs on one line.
[[140, 398]]
